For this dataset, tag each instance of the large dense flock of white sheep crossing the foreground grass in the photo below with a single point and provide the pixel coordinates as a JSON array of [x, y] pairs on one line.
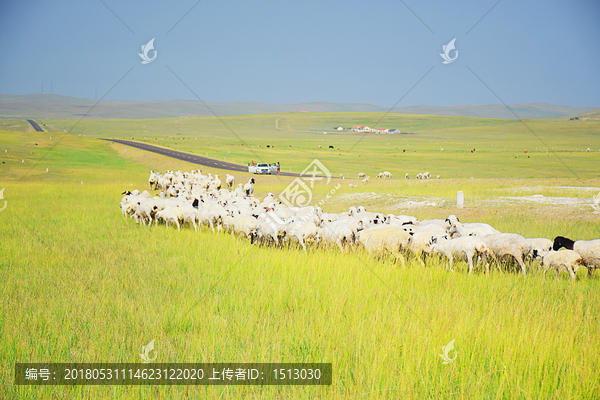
[[194, 199]]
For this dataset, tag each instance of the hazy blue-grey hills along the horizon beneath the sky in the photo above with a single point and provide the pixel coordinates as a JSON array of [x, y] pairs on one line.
[[65, 107]]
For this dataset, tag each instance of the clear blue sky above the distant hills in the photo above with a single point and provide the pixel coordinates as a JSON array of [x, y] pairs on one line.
[[280, 51]]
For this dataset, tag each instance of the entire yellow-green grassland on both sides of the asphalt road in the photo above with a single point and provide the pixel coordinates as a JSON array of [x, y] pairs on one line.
[[82, 284]]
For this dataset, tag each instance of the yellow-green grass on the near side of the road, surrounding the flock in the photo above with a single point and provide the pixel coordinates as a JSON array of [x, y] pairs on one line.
[[81, 284]]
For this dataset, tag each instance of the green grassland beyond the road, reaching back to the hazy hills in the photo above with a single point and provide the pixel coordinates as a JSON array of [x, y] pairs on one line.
[[554, 148]]
